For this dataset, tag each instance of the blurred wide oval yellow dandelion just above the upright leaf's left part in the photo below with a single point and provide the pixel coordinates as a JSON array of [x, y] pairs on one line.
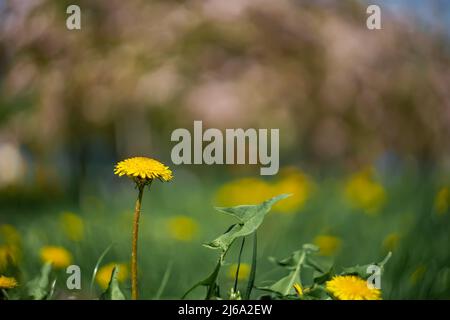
[[243, 191]]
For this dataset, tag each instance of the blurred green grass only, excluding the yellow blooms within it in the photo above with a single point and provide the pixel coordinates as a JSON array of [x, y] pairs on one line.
[[424, 236]]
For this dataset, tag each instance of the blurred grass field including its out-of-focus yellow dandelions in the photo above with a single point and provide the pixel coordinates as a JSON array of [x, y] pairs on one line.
[[353, 218]]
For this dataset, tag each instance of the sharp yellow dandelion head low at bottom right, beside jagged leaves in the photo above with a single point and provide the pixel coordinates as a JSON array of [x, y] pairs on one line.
[[351, 288]]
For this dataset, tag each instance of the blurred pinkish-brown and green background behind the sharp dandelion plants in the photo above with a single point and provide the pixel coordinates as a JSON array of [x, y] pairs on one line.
[[364, 120]]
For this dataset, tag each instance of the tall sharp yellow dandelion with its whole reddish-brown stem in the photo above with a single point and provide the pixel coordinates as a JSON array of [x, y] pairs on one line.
[[142, 171]]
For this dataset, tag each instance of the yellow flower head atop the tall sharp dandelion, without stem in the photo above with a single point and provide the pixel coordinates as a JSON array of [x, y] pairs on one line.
[[143, 170]]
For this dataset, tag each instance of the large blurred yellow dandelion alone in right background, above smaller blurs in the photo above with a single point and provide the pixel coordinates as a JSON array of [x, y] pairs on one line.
[[364, 192]]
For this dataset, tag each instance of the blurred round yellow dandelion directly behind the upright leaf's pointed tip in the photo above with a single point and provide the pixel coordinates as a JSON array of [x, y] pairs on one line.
[[293, 181]]
